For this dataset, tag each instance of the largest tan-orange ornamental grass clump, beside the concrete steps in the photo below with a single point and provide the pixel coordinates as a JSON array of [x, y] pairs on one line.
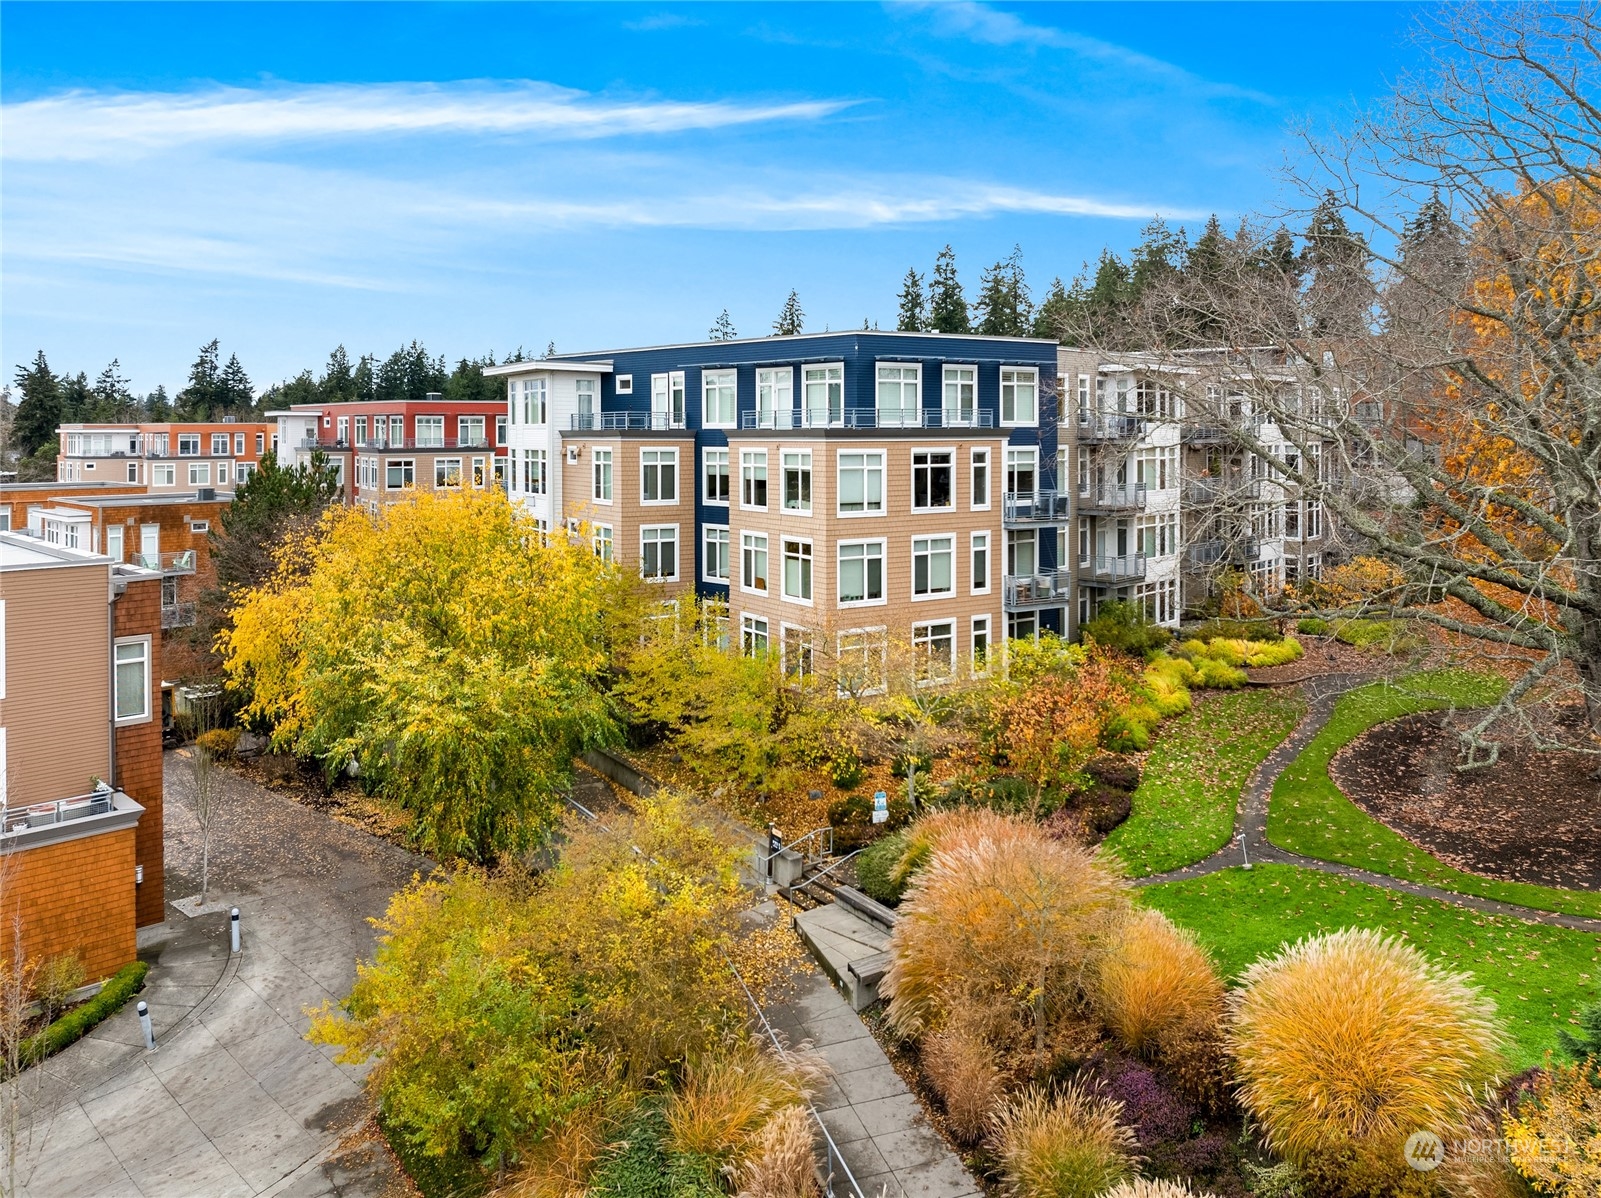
[[1008, 920]]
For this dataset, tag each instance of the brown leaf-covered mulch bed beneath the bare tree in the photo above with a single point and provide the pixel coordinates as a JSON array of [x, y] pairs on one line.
[[1533, 818]]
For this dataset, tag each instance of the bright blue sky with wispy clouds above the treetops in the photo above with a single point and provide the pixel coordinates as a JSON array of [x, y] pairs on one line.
[[479, 177]]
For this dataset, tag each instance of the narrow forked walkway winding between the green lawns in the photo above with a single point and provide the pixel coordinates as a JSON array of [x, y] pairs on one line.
[[1251, 845]]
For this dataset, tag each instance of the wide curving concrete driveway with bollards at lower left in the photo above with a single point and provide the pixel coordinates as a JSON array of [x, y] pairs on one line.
[[235, 1101]]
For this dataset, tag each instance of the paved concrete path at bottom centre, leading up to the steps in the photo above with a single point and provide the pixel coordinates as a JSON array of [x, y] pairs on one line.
[[878, 1124]]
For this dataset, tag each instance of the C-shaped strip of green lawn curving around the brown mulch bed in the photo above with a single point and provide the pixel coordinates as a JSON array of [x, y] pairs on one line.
[[1312, 818]]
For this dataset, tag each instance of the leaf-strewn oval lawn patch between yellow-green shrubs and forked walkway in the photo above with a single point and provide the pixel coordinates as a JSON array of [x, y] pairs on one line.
[[1184, 810]]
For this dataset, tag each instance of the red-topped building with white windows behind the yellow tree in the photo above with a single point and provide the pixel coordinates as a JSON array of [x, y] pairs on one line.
[[382, 449]]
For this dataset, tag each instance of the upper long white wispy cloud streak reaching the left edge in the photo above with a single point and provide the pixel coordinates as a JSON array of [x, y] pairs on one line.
[[97, 126]]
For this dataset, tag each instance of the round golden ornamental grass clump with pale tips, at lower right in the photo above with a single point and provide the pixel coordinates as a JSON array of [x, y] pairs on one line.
[[1347, 1043]]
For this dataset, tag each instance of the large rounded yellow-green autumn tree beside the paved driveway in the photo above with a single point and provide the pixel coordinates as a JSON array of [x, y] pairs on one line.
[[446, 648]]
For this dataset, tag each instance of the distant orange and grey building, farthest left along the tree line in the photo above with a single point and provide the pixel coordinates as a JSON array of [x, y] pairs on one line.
[[164, 457]]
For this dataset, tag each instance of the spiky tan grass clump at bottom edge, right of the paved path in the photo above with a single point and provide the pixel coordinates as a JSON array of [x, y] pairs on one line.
[[1064, 1146]]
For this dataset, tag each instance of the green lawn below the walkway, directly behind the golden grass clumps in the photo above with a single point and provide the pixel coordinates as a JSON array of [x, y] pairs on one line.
[[1539, 976]]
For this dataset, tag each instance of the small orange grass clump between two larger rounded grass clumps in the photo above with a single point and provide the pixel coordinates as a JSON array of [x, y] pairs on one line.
[[1155, 984]]
